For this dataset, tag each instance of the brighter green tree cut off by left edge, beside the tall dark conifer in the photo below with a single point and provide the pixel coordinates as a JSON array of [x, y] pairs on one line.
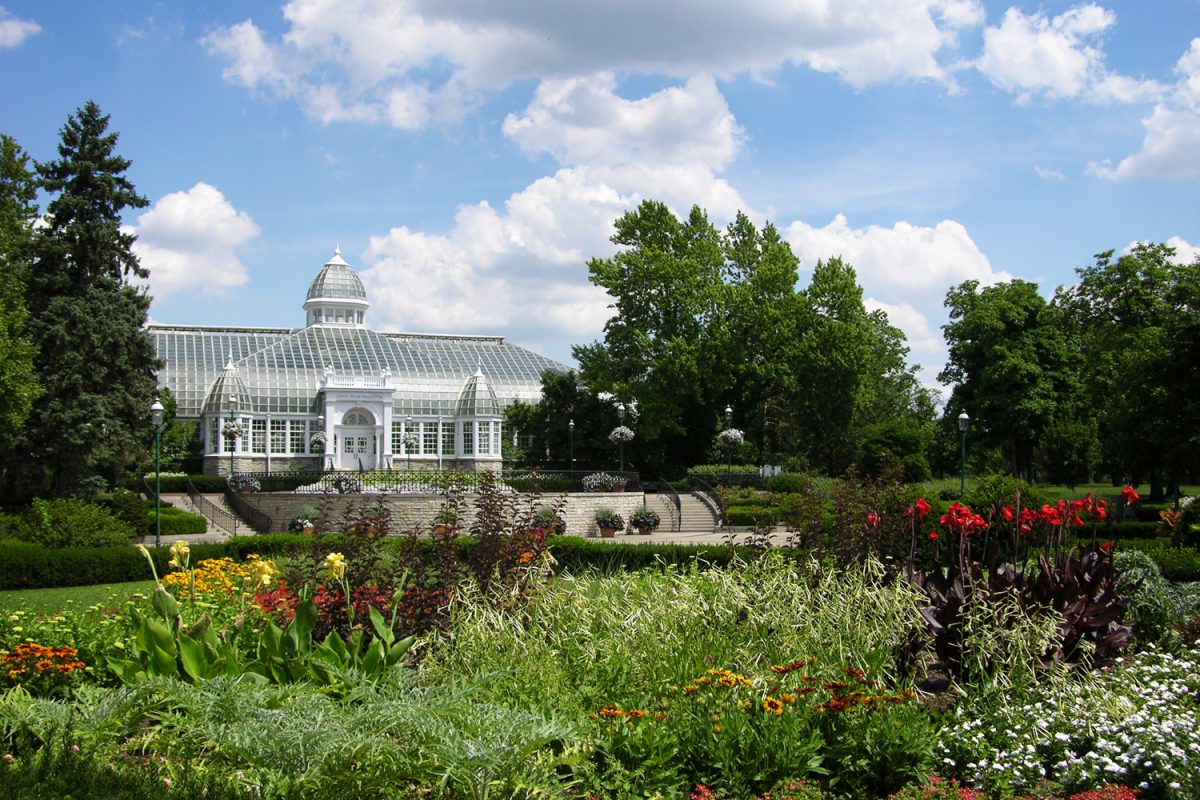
[[19, 382]]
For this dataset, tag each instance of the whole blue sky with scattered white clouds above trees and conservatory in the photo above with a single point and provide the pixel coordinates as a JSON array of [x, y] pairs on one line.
[[470, 157]]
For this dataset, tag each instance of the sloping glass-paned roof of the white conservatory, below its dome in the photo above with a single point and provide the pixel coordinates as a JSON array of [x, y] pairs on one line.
[[281, 370]]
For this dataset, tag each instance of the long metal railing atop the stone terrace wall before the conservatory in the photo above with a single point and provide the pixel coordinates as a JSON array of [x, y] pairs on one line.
[[436, 482]]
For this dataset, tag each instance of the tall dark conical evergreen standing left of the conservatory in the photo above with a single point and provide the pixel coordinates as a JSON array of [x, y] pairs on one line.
[[97, 362]]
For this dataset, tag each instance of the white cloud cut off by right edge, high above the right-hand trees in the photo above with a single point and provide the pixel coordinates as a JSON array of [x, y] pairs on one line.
[[1172, 147]]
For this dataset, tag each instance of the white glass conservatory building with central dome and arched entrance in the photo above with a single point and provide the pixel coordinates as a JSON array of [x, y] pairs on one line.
[[337, 395]]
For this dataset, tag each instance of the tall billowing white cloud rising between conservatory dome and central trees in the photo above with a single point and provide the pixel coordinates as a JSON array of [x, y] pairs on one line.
[[519, 270]]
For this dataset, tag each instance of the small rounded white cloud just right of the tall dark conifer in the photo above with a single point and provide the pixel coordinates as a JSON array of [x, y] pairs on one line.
[[189, 239]]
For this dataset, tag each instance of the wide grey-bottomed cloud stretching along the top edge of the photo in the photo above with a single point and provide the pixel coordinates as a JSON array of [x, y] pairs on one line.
[[413, 62]]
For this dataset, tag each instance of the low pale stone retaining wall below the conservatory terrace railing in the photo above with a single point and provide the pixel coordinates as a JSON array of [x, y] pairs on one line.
[[421, 510]]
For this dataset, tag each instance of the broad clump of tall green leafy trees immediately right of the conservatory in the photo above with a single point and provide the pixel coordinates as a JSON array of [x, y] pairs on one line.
[[707, 320]]
